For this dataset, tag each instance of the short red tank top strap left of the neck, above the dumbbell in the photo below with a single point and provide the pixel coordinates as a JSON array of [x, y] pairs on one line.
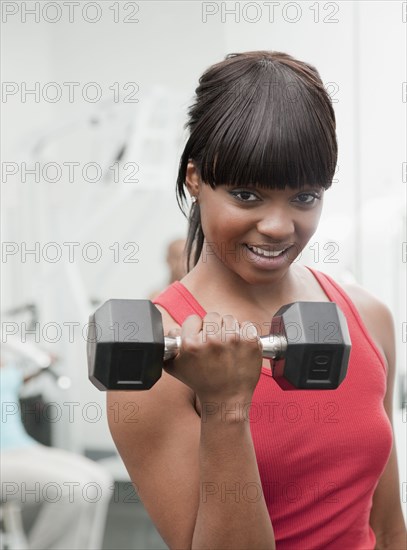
[[179, 302]]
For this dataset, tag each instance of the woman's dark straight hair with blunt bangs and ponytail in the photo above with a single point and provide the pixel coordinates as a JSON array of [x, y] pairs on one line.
[[260, 118]]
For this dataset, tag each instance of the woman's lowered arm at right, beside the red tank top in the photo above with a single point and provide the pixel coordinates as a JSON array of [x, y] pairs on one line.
[[386, 516]]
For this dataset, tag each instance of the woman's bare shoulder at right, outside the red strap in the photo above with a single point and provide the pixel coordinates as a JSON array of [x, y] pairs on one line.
[[377, 318]]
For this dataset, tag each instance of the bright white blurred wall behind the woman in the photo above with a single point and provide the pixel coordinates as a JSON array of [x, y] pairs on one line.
[[362, 55]]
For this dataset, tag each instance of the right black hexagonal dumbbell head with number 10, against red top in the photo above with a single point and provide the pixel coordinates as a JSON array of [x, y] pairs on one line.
[[318, 348]]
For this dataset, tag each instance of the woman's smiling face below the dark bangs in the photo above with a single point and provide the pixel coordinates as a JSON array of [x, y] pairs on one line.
[[257, 233]]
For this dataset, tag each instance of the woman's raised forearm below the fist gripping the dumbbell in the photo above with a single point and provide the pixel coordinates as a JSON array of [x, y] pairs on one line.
[[232, 511]]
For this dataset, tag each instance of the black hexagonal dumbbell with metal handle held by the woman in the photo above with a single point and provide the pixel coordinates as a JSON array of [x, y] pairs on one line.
[[308, 346]]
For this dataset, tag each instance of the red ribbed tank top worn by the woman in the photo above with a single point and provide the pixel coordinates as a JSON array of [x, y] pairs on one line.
[[320, 453]]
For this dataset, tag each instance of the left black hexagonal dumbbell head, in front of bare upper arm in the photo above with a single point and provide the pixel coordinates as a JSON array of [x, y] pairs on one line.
[[125, 345]]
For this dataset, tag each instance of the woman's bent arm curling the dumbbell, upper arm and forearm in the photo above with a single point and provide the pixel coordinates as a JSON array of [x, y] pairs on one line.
[[192, 473]]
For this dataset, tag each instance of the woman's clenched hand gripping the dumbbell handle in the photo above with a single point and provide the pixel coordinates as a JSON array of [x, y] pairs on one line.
[[218, 359]]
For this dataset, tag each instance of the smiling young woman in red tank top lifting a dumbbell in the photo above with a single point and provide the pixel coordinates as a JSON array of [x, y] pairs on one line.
[[222, 457]]
